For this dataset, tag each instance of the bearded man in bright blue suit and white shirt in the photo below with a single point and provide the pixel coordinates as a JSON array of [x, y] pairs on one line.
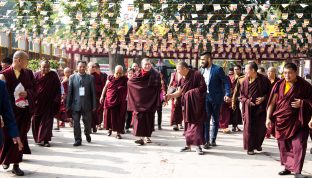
[[217, 83]]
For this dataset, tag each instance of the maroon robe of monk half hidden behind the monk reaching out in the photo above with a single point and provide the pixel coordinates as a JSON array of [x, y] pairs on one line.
[[176, 107]]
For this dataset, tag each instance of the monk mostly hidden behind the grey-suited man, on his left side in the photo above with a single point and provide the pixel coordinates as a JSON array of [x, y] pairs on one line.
[[62, 115]]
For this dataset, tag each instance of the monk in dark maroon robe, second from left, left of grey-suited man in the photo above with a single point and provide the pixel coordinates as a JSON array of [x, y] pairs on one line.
[[47, 103]]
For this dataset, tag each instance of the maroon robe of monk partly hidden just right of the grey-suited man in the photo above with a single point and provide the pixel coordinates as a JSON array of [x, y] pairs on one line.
[[99, 82]]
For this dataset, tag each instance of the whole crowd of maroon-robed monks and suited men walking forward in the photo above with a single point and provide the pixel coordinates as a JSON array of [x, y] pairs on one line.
[[203, 101]]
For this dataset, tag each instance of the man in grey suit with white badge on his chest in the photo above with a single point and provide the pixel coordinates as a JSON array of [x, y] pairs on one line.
[[81, 101]]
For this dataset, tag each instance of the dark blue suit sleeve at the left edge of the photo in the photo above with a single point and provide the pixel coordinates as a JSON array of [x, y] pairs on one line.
[[7, 112]]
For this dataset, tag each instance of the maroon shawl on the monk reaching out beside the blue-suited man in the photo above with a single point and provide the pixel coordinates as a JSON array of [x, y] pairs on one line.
[[193, 97]]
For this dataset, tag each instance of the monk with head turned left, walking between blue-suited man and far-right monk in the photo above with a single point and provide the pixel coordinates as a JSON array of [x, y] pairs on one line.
[[254, 94]]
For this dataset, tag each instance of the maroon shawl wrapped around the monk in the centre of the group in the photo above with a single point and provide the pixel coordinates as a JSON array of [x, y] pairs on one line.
[[144, 92]]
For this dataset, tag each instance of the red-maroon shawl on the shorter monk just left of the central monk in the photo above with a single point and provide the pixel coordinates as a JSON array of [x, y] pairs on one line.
[[116, 92]]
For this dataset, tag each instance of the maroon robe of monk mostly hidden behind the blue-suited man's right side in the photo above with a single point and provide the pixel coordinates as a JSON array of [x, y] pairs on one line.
[[225, 112]]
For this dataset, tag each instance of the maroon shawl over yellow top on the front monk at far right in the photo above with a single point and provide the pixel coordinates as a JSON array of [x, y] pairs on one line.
[[286, 119]]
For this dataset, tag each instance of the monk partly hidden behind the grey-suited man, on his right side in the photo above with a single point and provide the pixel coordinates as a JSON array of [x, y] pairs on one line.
[[99, 83]]
